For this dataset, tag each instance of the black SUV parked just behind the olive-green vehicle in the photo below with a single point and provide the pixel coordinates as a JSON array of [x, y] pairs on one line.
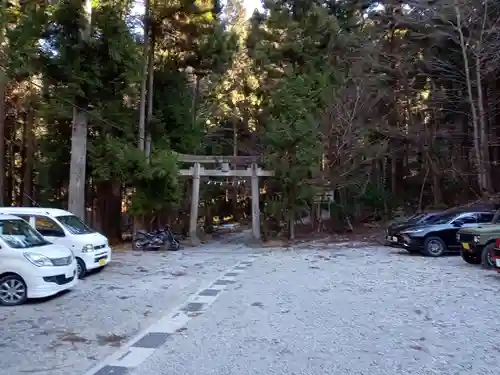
[[439, 235]]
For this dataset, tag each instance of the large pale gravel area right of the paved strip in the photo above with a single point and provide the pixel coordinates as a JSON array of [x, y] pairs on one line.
[[343, 311]]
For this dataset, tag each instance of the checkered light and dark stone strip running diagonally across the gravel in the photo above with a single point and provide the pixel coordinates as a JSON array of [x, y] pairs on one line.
[[143, 345]]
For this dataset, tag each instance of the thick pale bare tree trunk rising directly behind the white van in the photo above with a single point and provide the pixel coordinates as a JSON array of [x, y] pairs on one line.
[[78, 164]]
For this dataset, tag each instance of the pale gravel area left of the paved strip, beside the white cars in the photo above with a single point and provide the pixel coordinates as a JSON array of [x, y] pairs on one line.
[[68, 334]]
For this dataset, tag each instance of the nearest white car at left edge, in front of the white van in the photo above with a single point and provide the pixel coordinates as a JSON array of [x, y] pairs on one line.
[[31, 266]]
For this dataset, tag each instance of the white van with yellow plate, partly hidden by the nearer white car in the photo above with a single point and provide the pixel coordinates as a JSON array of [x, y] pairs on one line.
[[61, 227]]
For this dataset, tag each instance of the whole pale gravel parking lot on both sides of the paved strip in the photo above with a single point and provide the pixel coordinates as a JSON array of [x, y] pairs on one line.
[[316, 310]]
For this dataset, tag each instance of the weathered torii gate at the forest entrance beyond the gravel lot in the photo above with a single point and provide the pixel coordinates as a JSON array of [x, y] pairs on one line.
[[197, 171]]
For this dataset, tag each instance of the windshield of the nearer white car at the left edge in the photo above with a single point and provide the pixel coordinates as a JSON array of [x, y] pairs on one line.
[[18, 234]]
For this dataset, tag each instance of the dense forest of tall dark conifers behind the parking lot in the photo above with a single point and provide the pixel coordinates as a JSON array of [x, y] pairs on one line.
[[377, 104]]
